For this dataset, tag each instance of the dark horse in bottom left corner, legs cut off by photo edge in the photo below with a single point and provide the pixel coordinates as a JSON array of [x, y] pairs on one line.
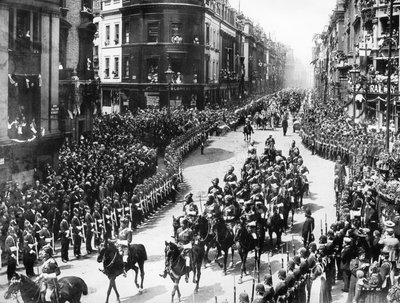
[[70, 289]]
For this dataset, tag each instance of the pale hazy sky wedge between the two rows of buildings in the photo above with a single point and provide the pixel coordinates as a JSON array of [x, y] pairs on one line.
[[292, 22]]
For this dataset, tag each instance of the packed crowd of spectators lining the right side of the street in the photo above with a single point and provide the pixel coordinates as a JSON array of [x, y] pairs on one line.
[[366, 235]]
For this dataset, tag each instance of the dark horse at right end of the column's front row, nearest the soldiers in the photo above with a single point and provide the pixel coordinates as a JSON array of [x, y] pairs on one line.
[[244, 244]]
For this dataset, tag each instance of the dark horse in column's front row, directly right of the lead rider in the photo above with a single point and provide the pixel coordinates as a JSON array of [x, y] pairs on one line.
[[224, 239]]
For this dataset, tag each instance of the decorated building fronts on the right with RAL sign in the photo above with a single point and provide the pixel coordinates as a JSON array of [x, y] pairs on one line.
[[356, 38]]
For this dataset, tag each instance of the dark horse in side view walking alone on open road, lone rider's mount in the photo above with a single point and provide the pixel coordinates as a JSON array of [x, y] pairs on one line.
[[114, 265]]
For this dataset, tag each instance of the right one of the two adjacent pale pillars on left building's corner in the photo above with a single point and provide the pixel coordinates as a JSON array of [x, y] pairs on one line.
[[54, 72]]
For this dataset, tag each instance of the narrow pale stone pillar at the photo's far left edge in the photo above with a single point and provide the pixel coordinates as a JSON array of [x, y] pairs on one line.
[[4, 15]]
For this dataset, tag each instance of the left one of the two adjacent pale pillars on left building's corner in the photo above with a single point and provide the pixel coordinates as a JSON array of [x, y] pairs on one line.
[[45, 73]]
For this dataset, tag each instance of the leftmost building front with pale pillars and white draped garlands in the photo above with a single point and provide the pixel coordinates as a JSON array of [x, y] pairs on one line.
[[29, 62]]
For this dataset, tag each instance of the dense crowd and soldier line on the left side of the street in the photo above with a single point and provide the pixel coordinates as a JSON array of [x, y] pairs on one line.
[[108, 175]]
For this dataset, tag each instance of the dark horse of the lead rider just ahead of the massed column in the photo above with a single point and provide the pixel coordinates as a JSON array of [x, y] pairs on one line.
[[177, 264]]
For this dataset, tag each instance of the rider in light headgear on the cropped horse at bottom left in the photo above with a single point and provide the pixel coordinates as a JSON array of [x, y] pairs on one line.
[[48, 278]]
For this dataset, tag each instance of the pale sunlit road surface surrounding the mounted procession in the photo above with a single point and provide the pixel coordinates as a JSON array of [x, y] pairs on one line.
[[198, 171]]
